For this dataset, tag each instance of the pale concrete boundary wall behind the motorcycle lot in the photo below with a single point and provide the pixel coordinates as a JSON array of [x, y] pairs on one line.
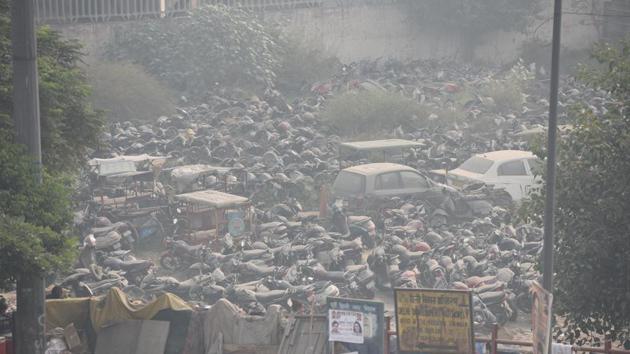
[[372, 31]]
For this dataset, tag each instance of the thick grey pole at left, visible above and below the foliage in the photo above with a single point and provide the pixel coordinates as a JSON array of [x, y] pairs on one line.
[[30, 317]]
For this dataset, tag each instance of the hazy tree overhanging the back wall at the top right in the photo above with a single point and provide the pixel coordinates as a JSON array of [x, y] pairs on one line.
[[471, 19]]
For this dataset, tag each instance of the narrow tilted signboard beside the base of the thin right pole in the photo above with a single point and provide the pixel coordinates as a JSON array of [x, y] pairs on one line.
[[541, 318]]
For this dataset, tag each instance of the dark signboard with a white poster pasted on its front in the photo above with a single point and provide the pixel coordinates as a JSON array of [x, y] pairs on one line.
[[358, 323]]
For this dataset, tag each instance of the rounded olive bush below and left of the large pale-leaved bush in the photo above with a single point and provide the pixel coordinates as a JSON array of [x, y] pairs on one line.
[[126, 92]]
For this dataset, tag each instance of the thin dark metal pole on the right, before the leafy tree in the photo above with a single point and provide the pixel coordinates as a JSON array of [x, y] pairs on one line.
[[550, 183]]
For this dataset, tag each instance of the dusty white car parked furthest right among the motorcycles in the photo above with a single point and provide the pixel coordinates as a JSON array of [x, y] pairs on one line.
[[513, 170]]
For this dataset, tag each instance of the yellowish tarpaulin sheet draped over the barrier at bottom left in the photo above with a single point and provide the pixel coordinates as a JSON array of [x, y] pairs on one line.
[[113, 307]]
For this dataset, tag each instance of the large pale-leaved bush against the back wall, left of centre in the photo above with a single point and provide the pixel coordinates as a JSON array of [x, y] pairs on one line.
[[215, 47]]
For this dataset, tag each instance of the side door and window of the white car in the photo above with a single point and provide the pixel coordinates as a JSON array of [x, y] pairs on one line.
[[513, 176]]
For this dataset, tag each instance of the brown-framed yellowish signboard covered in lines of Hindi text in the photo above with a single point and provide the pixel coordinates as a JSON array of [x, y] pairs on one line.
[[434, 321]]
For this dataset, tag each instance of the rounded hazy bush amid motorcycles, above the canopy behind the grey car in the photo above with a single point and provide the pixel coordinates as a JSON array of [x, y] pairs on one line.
[[372, 112]]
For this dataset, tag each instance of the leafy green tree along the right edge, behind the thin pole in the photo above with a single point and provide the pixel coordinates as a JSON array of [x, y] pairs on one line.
[[592, 240]]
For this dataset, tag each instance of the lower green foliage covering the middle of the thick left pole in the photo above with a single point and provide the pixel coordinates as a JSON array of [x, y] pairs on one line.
[[33, 217]]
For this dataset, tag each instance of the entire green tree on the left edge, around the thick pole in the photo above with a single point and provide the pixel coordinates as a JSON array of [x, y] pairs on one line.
[[35, 218]]
